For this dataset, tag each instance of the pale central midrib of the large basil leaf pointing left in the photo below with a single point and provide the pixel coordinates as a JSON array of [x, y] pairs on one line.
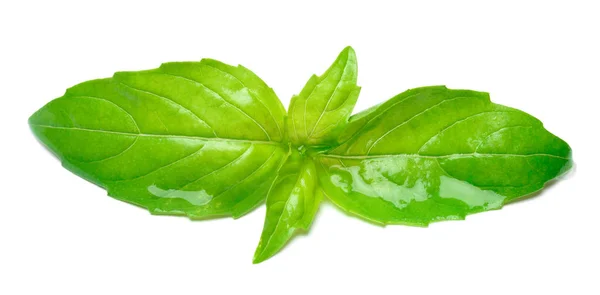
[[122, 133]]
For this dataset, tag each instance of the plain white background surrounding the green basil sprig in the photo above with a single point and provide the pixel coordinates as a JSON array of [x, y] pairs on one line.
[[62, 235]]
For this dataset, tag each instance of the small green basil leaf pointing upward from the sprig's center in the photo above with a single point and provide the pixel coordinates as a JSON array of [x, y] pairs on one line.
[[318, 114]]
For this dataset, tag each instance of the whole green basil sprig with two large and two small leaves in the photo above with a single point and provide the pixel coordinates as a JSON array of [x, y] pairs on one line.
[[205, 139]]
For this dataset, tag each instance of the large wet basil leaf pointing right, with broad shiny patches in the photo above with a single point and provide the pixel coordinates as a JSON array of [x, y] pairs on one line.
[[433, 154]]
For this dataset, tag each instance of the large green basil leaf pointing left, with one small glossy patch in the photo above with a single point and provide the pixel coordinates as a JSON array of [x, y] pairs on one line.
[[193, 138]]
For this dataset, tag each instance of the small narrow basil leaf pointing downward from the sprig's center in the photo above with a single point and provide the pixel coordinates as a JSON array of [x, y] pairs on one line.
[[292, 204]]
